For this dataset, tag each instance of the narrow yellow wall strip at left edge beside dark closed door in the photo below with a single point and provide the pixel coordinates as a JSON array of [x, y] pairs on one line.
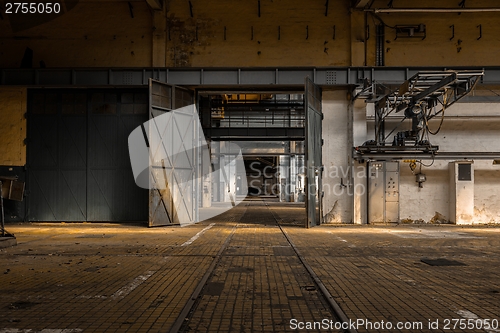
[[12, 126]]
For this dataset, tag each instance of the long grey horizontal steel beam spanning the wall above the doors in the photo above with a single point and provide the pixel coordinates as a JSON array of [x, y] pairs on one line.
[[222, 77]]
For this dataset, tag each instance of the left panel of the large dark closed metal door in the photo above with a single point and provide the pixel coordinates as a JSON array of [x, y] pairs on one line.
[[57, 157]]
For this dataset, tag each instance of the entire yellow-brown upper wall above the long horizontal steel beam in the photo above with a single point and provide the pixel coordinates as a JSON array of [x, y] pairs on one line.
[[219, 34]]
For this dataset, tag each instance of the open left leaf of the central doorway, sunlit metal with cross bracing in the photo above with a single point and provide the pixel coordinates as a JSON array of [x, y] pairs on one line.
[[173, 159]]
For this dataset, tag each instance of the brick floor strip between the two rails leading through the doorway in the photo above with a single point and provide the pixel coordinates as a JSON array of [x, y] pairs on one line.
[[261, 282]]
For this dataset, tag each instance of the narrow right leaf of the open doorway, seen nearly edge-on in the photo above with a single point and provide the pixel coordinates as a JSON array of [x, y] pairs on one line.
[[313, 154]]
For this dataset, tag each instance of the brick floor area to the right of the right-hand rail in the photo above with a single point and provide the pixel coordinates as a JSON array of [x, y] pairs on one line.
[[376, 273]]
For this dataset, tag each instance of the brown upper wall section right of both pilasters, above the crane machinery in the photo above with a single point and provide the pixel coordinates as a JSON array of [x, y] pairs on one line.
[[438, 48]]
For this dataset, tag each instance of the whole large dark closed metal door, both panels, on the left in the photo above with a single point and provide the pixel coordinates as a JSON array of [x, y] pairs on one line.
[[78, 163]]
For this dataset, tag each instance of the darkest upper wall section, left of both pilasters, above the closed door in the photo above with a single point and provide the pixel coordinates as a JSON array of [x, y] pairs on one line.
[[90, 34]]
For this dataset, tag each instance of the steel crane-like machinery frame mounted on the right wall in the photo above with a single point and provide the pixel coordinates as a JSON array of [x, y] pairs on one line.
[[424, 96]]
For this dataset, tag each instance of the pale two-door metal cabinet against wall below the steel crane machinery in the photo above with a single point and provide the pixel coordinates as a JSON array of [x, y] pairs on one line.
[[383, 192]]
